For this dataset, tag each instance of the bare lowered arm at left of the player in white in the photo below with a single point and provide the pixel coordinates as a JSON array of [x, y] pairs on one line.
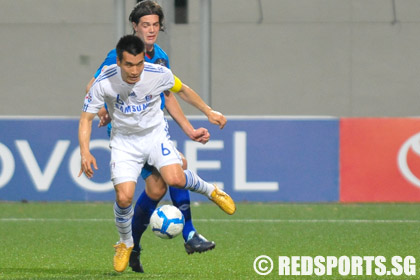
[[87, 159]]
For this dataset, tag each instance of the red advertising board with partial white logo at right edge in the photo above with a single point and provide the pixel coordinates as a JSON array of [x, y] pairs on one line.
[[380, 160]]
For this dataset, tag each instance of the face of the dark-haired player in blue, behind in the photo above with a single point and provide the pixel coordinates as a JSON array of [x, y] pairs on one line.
[[148, 29]]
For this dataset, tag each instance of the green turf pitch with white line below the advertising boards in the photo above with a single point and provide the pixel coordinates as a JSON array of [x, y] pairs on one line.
[[74, 240]]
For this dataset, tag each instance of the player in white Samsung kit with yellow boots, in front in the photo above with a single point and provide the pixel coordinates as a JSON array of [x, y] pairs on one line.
[[132, 91]]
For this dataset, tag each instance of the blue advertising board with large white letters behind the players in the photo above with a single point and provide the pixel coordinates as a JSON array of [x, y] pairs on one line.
[[252, 158]]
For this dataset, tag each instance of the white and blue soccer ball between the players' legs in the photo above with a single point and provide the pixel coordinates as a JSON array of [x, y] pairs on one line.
[[167, 221]]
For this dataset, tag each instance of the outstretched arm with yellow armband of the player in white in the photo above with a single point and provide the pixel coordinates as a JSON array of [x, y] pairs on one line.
[[191, 97]]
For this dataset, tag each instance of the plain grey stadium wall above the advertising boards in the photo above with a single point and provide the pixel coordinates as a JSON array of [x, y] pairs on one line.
[[352, 58]]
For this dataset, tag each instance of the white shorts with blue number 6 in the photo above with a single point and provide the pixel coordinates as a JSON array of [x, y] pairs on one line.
[[129, 153]]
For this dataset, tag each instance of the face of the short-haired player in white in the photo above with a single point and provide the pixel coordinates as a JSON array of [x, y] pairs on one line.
[[131, 67]]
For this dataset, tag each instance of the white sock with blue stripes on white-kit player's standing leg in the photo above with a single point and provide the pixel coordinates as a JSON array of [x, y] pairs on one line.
[[123, 217]]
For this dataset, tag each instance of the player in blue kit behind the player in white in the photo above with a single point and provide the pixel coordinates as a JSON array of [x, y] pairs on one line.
[[147, 20]]
